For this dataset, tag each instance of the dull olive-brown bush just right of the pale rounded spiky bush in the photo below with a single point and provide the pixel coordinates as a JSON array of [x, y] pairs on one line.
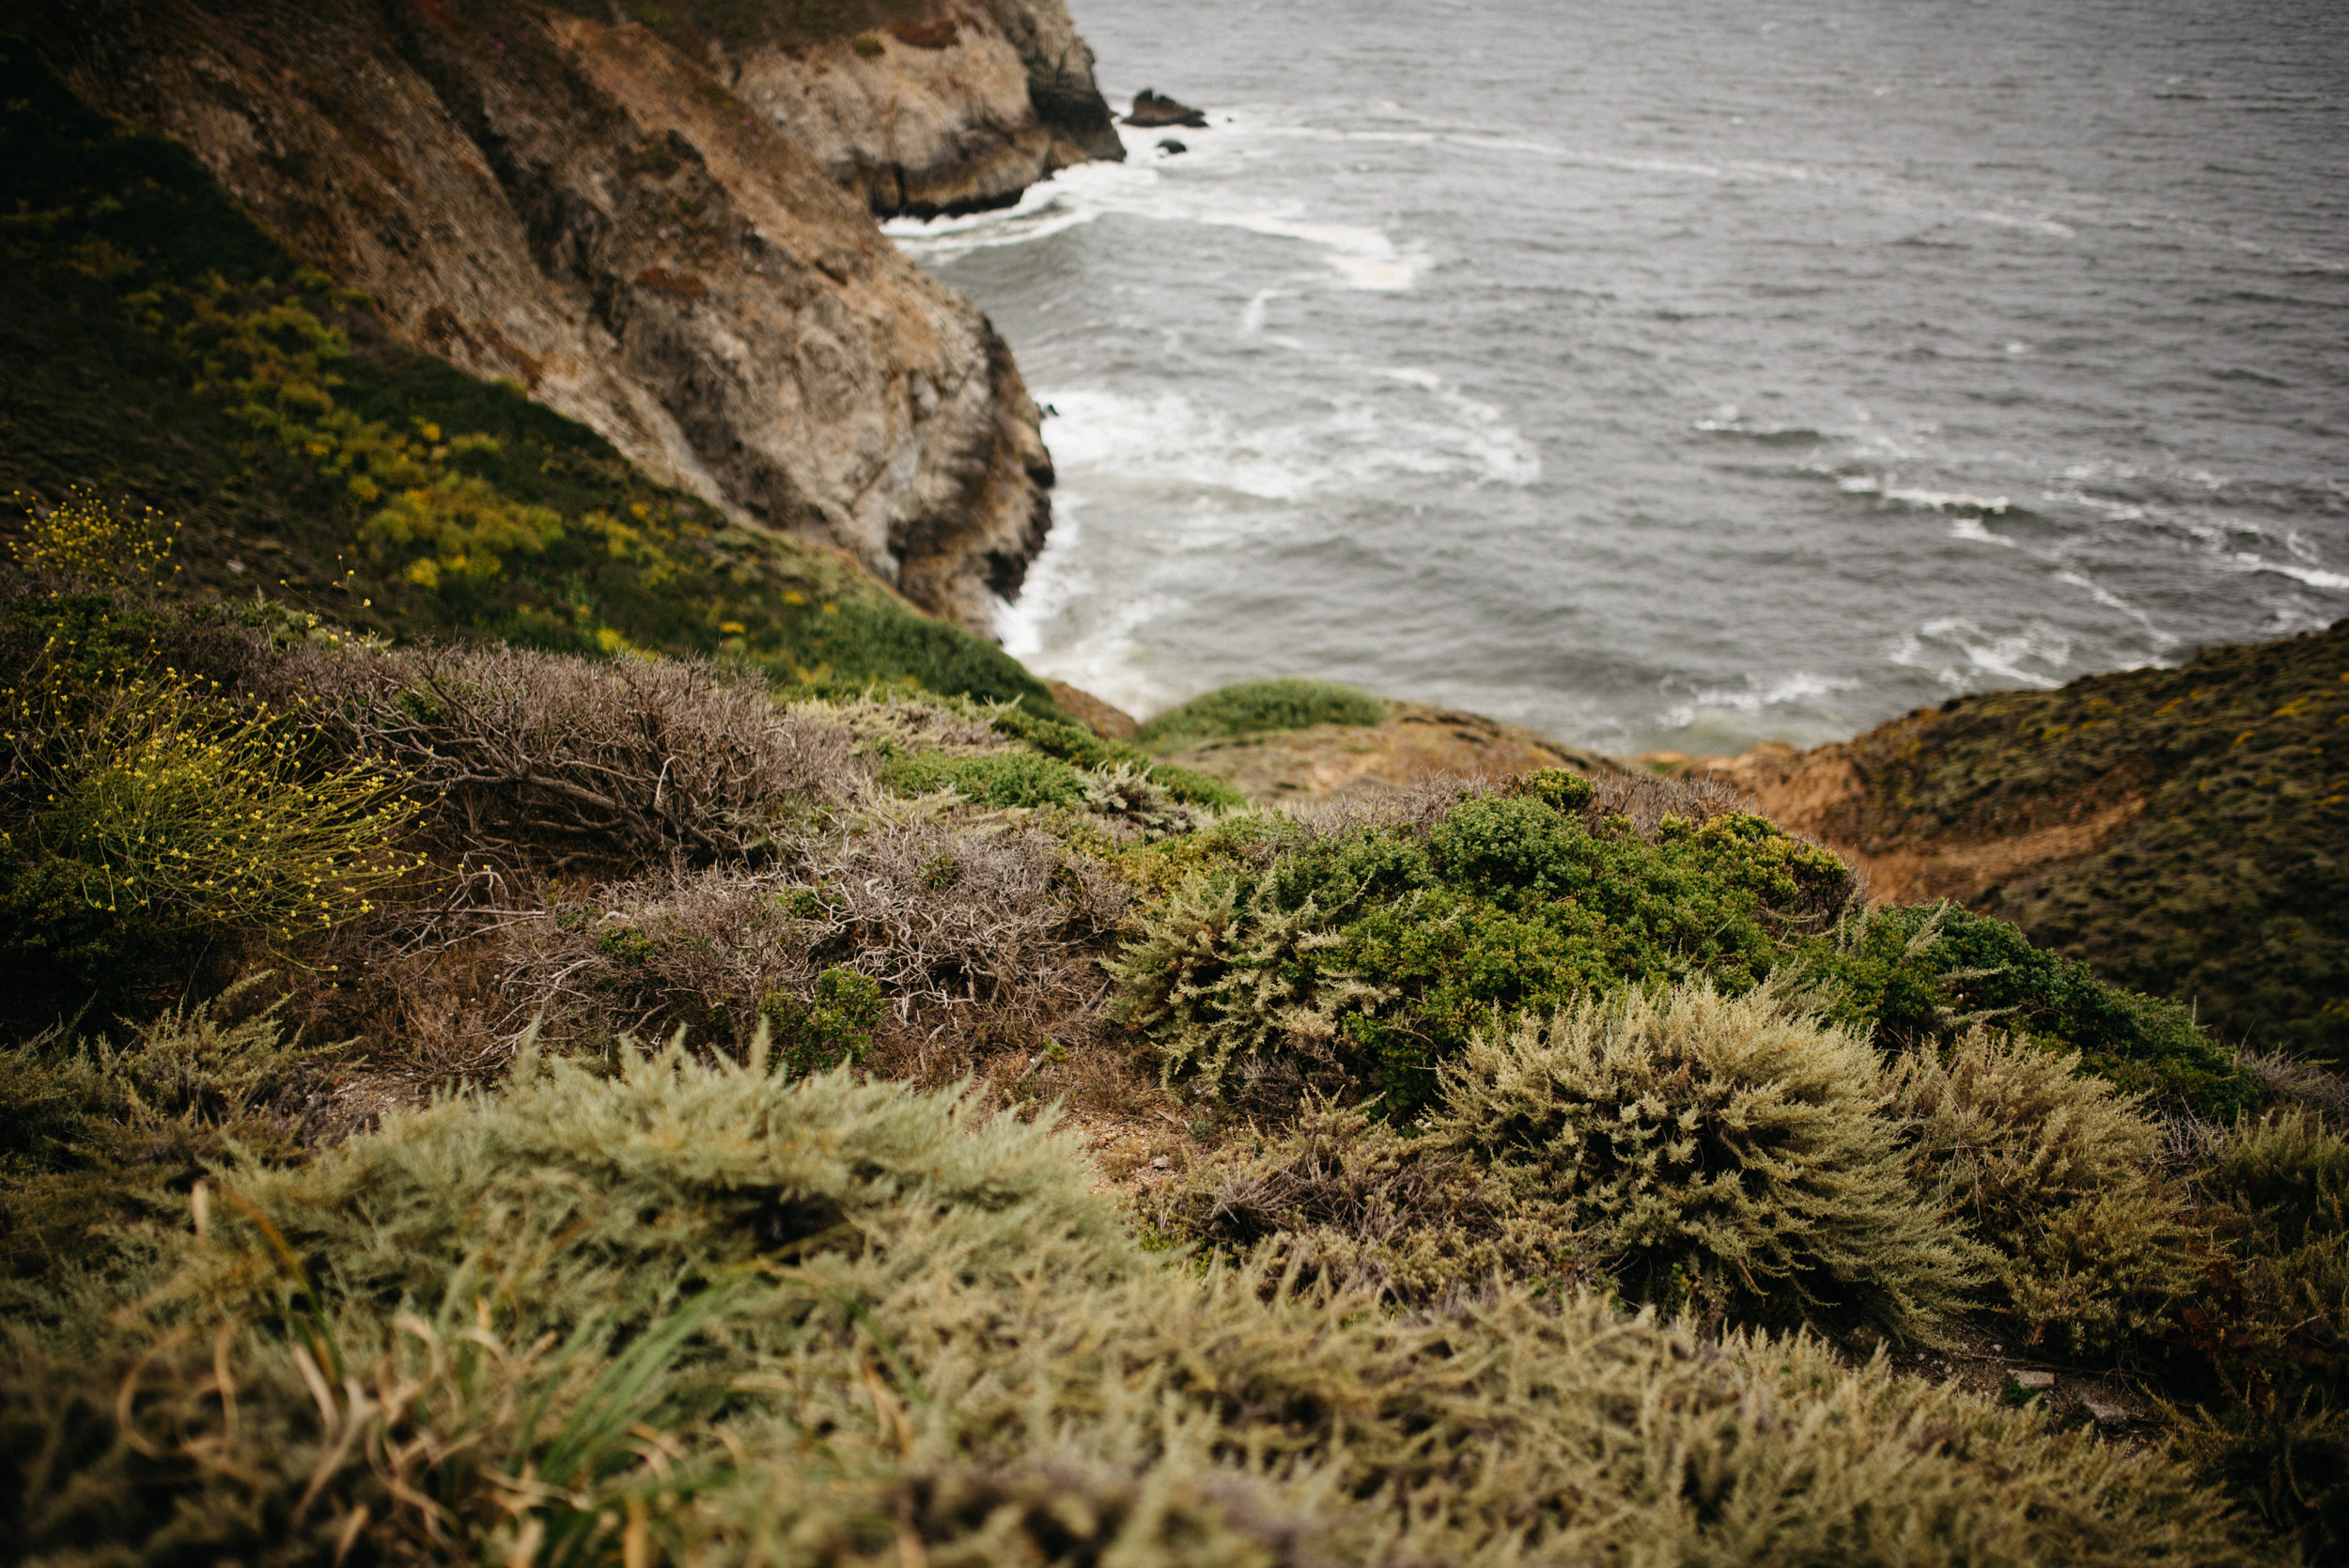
[[2061, 1180]]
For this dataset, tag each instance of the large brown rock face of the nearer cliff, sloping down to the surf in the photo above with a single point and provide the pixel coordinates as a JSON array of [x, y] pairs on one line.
[[584, 210]]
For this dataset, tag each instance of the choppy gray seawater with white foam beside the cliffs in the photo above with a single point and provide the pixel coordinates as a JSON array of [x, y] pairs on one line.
[[1688, 374]]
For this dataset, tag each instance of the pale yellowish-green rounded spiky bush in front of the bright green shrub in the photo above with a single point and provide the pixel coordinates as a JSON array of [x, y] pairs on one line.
[[1725, 1151]]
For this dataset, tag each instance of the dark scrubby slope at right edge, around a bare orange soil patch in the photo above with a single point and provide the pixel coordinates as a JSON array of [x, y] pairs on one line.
[[2228, 891]]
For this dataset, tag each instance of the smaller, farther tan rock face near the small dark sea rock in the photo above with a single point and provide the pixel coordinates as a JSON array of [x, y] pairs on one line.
[[955, 111]]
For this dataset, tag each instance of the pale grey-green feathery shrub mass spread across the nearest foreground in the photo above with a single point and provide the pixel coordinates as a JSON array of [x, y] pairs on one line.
[[509, 1320]]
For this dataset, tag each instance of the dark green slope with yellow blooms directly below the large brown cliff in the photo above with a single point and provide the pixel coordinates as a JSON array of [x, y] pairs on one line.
[[166, 351]]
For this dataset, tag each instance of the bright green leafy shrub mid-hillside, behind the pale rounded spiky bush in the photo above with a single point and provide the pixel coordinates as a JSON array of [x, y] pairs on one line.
[[1368, 957]]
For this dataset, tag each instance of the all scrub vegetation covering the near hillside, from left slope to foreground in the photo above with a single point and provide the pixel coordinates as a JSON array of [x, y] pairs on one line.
[[534, 1041]]
